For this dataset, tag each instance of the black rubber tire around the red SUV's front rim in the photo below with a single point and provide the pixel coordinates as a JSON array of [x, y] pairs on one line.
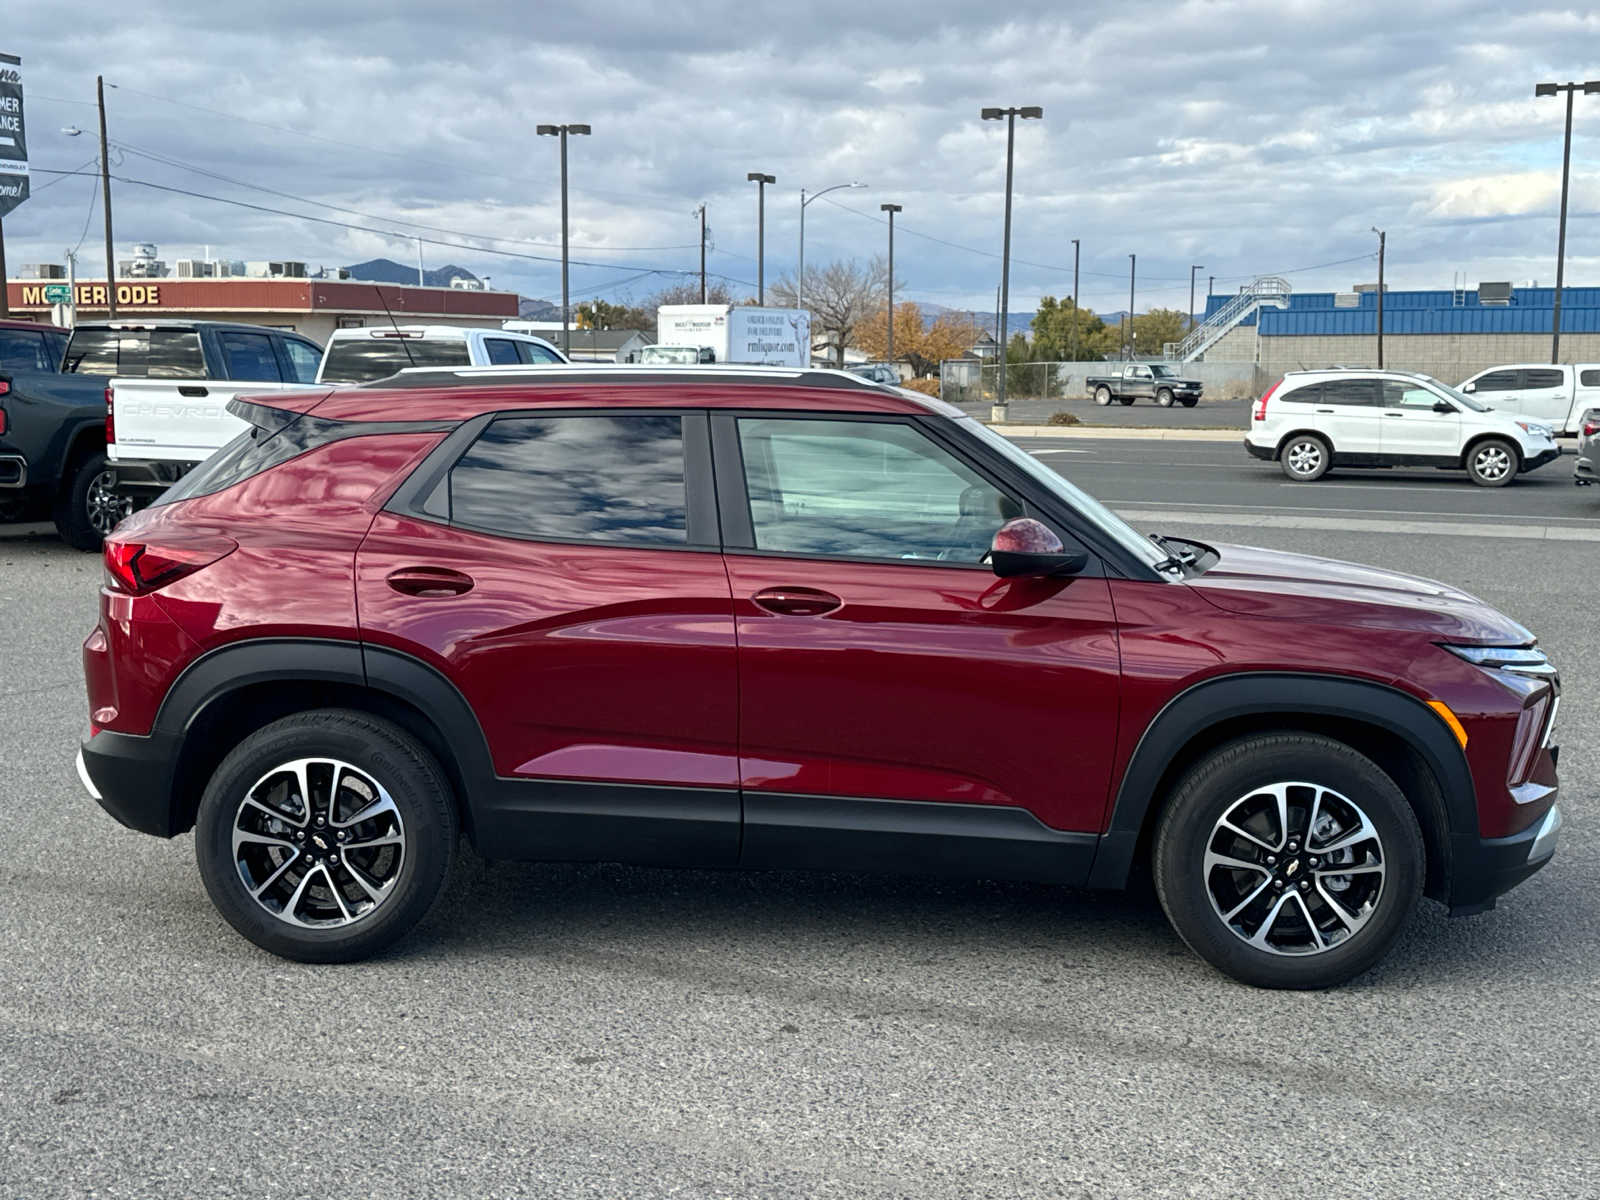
[[1242, 774]]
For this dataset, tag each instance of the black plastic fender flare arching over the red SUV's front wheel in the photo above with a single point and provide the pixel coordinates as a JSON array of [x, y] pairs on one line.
[[1257, 694]]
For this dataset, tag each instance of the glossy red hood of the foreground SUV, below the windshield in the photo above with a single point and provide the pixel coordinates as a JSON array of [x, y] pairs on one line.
[[1327, 591]]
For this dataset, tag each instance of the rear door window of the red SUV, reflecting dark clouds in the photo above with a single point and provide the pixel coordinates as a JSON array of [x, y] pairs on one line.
[[604, 479]]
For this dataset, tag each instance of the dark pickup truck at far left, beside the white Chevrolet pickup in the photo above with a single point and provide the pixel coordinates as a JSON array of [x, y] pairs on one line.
[[55, 398]]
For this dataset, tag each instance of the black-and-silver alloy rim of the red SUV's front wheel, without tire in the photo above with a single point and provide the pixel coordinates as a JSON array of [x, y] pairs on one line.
[[1295, 870]]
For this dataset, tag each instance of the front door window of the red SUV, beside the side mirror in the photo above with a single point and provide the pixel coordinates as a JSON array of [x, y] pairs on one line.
[[866, 490]]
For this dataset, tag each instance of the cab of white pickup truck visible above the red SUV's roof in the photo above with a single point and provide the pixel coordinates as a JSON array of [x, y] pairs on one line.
[[361, 356]]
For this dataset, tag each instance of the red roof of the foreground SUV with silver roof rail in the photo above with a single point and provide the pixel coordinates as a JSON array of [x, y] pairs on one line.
[[462, 394]]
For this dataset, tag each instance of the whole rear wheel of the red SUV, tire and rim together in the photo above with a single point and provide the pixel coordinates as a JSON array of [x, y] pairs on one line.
[[326, 836]]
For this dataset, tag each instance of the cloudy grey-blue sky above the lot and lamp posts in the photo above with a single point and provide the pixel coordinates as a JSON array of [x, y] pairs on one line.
[[1252, 137]]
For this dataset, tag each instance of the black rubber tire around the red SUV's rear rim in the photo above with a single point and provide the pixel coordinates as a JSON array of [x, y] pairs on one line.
[[417, 874]]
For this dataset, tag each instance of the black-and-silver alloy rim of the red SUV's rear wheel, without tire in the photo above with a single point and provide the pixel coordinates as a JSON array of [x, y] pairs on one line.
[[319, 844]]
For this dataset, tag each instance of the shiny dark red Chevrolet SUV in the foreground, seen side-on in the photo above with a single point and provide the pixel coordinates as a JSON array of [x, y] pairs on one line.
[[759, 618]]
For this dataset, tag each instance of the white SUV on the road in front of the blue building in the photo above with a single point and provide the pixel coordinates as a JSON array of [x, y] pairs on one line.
[[1311, 422]]
